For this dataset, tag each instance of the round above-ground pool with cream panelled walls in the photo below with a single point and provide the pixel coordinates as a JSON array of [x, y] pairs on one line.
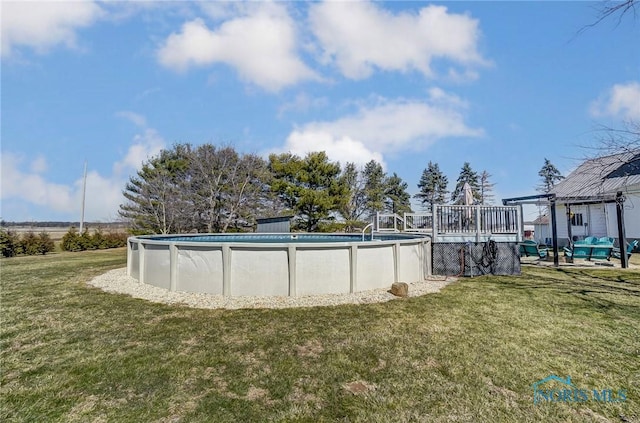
[[289, 264]]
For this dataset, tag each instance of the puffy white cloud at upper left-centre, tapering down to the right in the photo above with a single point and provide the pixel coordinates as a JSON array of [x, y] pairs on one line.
[[260, 45]]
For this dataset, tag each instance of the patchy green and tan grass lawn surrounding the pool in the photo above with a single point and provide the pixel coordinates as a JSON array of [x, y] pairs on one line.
[[470, 353]]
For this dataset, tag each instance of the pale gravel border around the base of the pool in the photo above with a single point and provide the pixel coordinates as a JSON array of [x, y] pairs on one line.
[[118, 281]]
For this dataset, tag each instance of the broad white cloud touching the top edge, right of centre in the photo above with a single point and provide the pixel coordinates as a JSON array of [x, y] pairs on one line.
[[361, 36]]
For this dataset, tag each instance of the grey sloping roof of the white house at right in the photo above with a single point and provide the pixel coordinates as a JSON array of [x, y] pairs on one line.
[[601, 177]]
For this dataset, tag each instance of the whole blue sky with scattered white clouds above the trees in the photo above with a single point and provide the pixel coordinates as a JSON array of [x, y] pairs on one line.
[[501, 85]]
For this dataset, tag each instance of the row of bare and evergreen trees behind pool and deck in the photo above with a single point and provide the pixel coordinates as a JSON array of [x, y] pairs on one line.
[[210, 188]]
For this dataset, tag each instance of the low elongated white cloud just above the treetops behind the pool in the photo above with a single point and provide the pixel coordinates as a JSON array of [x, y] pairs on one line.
[[385, 127]]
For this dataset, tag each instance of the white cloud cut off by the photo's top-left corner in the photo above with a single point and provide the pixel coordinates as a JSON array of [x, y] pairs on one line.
[[43, 25]]
